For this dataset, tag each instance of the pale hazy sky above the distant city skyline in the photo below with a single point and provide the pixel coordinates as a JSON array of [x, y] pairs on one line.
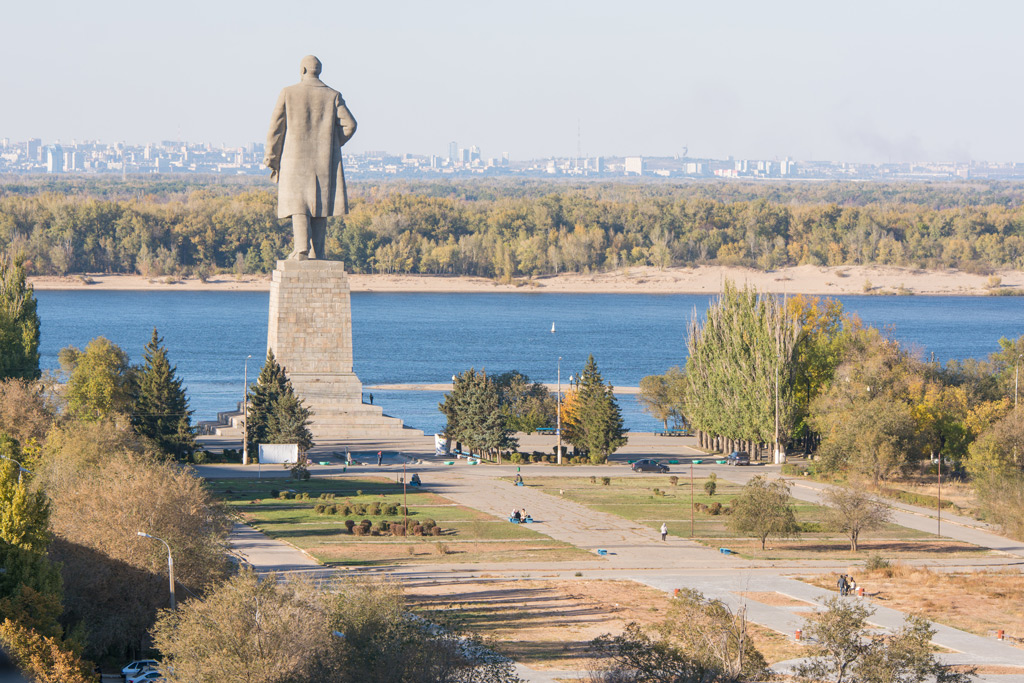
[[856, 80]]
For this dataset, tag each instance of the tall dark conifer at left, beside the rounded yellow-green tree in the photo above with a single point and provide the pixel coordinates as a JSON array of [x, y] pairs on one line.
[[161, 411]]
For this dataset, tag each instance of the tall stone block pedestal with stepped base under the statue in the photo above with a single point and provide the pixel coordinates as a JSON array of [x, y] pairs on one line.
[[311, 334]]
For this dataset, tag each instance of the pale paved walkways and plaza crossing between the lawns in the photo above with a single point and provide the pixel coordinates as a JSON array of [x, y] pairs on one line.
[[635, 552]]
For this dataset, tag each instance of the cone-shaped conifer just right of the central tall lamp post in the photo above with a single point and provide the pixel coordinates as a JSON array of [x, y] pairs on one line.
[[595, 423]]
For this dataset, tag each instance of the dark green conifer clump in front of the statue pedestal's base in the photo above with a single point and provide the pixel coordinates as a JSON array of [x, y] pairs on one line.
[[276, 414]]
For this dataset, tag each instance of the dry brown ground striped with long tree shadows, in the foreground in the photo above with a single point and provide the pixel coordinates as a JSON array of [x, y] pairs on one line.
[[548, 625]]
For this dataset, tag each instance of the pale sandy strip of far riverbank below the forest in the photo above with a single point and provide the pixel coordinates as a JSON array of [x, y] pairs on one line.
[[648, 280]]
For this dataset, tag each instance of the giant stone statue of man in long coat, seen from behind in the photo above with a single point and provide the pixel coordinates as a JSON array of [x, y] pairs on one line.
[[310, 124]]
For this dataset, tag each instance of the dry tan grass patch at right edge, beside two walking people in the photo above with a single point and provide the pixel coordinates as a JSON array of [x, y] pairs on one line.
[[979, 603]]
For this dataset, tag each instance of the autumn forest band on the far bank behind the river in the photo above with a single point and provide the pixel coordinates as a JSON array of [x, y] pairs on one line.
[[508, 230]]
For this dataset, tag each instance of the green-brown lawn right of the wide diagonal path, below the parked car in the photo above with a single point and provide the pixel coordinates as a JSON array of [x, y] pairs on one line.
[[633, 497]]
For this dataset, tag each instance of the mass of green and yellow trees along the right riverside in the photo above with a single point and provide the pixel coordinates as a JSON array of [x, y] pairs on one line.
[[764, 374]]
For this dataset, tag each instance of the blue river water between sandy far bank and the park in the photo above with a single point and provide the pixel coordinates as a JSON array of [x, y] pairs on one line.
[[426, 338]]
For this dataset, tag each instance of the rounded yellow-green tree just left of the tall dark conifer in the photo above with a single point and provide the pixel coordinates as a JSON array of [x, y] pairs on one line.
[[101, 381]]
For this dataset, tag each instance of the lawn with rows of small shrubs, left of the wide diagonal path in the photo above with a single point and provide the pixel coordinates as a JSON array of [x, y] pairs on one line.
[[468, 536]]
